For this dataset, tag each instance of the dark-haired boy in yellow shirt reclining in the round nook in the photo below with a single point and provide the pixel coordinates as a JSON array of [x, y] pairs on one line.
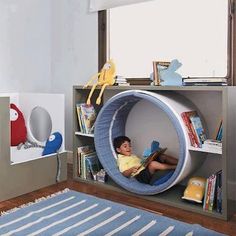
[[131, 165]]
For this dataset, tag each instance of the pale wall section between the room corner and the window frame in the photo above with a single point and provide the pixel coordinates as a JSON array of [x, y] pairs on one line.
[[74, 50]]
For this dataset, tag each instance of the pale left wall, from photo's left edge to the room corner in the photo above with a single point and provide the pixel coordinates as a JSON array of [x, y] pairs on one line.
[[25, 45]]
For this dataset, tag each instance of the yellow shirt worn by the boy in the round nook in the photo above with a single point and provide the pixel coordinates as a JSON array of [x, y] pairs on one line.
[[126, 162]]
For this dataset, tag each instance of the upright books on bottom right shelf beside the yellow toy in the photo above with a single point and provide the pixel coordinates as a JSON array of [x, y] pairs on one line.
[[213, 193]]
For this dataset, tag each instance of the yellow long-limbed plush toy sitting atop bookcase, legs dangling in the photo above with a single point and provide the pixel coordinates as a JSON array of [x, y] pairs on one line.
[[104, 78]]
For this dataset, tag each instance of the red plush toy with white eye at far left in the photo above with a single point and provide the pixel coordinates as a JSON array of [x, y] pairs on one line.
[[18, 128]]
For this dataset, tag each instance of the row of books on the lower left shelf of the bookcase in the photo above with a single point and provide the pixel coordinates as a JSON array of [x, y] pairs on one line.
[[88, 165]]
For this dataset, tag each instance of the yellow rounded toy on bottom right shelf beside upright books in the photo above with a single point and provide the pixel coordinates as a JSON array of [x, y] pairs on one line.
[[195, 189]]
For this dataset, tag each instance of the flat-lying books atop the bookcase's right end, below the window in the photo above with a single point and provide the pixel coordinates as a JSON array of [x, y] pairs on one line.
[[205, 82]]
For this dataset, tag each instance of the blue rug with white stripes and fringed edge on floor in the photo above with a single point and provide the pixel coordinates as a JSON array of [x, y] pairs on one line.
[[74, 213]]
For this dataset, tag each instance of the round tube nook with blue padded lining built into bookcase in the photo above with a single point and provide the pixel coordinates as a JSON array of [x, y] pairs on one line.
[[111, 122]]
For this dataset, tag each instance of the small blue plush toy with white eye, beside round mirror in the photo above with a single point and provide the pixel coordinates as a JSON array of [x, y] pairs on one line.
[[53, 144]]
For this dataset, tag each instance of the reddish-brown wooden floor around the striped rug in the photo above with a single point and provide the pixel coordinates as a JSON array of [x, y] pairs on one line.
[[226, 227]]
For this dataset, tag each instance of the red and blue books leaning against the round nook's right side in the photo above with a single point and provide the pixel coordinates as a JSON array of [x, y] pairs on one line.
[[194, 127]]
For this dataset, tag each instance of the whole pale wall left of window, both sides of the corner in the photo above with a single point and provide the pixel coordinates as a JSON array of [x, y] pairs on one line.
[[47, 46]]
